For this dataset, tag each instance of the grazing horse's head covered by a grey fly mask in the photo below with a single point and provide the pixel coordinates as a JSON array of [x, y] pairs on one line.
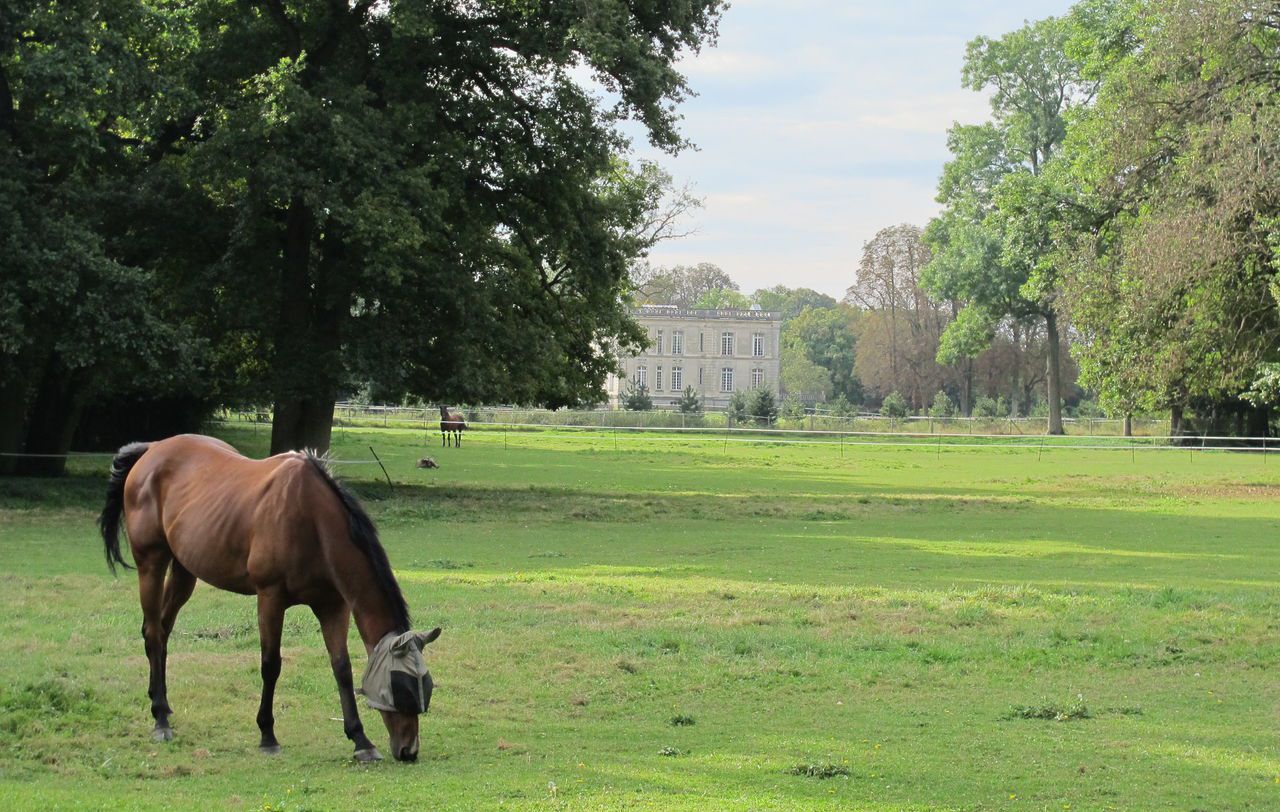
[[400, 687]]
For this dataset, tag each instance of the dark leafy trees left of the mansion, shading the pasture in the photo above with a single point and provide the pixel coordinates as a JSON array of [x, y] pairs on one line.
[[211, 203]]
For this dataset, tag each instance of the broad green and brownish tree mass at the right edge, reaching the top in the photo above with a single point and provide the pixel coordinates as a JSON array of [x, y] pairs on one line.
[[1169, 281]]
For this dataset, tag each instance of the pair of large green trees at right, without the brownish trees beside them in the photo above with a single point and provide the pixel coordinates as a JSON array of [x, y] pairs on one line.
[[1124, 198]]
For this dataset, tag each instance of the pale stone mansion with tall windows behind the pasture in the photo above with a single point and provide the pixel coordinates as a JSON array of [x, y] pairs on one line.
[[717, 353]]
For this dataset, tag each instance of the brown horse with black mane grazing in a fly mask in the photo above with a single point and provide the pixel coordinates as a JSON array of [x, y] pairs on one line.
[[282, 530]]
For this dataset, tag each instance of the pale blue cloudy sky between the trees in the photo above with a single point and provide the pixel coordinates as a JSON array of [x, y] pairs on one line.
[[820, 122]]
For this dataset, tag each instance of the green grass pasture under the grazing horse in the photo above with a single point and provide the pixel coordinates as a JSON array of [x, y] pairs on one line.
[[670, 623]]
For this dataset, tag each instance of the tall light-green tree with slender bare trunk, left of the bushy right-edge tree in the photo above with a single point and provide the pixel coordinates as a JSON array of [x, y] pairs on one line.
[[993, 244]]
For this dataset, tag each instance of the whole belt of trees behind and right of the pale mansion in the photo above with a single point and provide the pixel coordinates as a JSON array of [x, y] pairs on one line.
[[1112, 232]]
